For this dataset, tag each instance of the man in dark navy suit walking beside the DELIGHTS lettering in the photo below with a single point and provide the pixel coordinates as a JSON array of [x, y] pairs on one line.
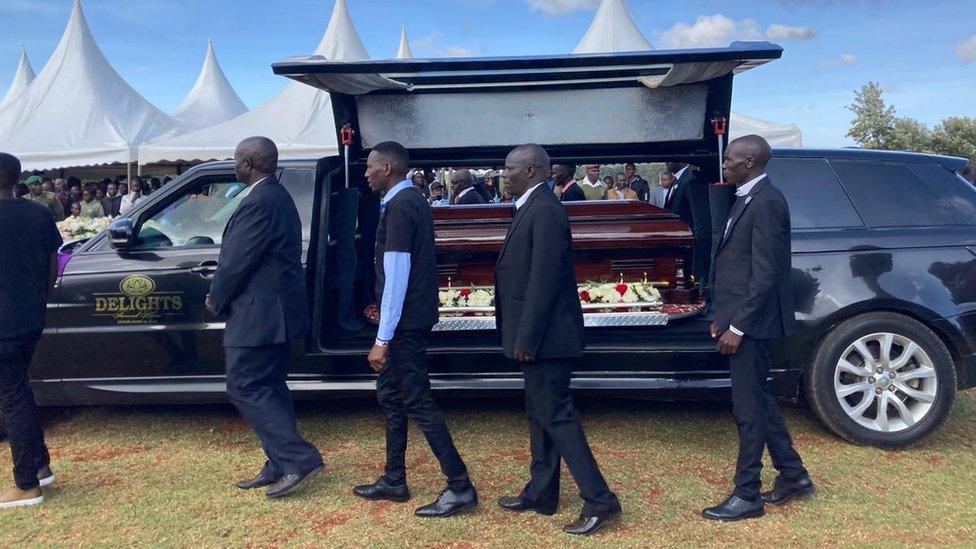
[[260, 286]]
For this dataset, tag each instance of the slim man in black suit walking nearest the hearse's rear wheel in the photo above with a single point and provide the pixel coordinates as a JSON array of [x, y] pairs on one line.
[[753, 305]]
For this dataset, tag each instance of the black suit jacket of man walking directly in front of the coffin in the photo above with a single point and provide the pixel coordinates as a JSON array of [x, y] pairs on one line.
[[537, 306]]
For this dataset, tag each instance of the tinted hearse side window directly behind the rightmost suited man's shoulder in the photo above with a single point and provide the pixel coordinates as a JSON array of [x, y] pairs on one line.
[[813, 193]]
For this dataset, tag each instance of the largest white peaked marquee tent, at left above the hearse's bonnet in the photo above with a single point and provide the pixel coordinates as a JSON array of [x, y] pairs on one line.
[[79, 111]]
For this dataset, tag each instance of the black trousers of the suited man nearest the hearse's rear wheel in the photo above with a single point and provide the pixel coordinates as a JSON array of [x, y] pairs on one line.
[[759, 422]]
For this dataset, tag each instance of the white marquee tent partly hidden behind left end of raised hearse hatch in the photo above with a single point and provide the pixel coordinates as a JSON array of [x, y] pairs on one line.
[[299, 118]]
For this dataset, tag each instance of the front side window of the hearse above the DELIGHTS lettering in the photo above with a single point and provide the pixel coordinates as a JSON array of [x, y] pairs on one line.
[[194, 217]]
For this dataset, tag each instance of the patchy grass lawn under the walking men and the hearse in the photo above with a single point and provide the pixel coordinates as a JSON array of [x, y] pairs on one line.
[[163, 476]]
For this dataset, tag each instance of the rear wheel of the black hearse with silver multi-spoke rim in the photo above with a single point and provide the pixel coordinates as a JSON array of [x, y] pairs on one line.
[[826, 403]]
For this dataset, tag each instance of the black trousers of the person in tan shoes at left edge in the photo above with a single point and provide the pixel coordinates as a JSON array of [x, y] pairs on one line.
[[19, 410]]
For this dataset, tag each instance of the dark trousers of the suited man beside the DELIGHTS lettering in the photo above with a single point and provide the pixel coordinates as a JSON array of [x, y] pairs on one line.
[[256, 384]]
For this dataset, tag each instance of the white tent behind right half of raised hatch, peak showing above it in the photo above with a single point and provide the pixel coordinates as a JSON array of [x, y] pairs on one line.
[[613, 30]]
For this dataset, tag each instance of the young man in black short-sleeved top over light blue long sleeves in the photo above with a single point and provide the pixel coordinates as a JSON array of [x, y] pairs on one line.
[[406, 289]]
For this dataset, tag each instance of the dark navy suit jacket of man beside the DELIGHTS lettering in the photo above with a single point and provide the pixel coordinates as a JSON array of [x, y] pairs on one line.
[[260, 283]]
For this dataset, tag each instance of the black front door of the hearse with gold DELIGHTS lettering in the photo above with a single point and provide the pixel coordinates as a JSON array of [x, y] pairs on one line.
[[128, 317]]
